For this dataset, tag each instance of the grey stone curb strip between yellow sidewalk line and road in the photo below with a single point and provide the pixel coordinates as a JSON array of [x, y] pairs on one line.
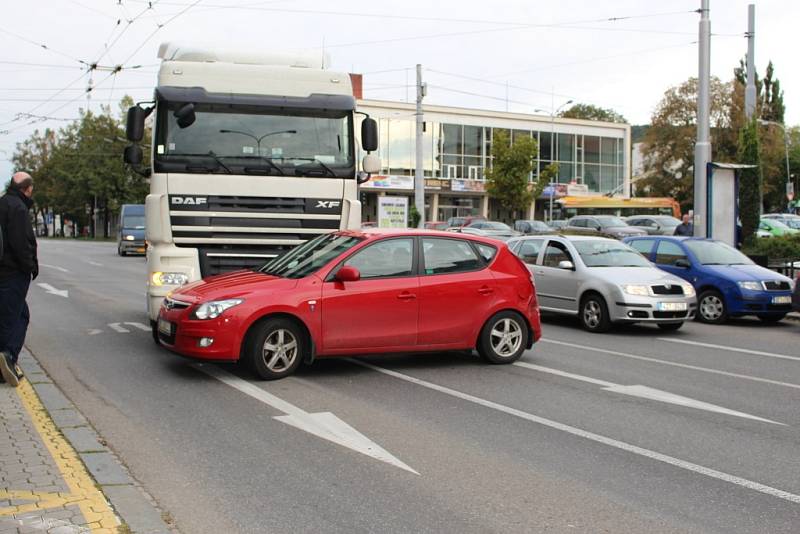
[[135, 507]]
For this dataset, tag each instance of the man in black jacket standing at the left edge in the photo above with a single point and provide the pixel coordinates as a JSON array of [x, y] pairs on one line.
[[18, 266]]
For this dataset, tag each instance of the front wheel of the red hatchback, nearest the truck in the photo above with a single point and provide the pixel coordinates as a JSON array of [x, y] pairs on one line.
[[276, 348]]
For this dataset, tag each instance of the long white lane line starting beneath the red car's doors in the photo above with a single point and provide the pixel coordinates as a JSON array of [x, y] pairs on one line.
[[647, 453]]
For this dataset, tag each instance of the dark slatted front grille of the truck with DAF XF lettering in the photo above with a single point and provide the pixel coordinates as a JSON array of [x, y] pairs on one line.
[[235, 232]]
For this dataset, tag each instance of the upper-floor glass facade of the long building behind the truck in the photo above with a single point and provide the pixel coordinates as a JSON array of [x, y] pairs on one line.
[[463, 151]]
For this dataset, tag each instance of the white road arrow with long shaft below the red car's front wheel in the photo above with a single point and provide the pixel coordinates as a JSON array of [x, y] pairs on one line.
[[324, 425]]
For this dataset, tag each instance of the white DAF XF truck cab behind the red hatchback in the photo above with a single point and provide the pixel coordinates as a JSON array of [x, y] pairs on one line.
[[252, 154]]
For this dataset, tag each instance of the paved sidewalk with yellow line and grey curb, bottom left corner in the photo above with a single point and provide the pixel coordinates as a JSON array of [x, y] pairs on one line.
[[56, 476]]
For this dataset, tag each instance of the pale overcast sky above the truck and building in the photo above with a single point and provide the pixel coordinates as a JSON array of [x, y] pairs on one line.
[[520, 55]]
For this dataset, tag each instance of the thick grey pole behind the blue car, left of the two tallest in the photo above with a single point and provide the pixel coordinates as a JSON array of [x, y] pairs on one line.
[[702, 148]]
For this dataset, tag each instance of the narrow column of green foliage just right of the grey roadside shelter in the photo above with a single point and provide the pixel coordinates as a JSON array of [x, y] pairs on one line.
[[750, 180]]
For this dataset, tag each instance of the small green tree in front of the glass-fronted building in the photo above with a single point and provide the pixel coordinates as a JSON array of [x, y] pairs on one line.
[[507, 178]]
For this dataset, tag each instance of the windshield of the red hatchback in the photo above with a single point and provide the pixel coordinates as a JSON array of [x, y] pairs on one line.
[[311, 256]]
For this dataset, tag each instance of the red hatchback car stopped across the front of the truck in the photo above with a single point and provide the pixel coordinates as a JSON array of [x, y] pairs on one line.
[[359, 292]]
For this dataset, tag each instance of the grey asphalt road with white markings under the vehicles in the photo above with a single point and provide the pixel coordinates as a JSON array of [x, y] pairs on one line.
[[556, 444]]
